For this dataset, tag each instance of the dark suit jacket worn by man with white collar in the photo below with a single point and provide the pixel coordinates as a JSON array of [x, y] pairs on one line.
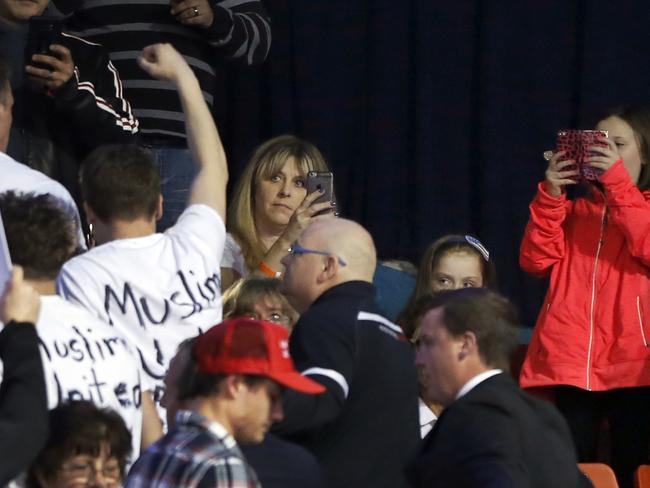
[[498, 436]]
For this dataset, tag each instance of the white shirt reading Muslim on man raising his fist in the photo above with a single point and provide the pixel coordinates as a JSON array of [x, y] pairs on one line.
[[158, 290]]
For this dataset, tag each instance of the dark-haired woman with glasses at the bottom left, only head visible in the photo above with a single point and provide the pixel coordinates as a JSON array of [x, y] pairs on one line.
[[87, 447]]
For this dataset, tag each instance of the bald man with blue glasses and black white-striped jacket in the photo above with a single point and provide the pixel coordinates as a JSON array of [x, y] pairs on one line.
[[364, 429]]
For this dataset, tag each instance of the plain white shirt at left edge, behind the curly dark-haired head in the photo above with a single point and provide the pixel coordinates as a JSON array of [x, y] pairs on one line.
[[21, 178]]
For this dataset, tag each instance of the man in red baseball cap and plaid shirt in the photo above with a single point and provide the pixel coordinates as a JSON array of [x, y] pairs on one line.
[[231, 389]]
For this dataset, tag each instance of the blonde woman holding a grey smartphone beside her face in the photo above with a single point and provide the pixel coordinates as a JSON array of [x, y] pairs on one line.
[[284, 187]]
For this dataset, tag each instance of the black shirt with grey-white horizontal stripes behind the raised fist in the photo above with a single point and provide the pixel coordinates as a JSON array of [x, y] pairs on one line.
[[240, 30]]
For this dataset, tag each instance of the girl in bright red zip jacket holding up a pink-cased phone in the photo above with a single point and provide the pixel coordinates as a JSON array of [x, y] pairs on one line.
[[591, 338]]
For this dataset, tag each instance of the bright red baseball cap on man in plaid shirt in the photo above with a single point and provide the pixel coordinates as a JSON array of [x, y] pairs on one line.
[[247, 346]]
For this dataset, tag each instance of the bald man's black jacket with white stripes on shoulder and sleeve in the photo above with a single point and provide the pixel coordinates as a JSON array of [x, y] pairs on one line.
[[364, 429]]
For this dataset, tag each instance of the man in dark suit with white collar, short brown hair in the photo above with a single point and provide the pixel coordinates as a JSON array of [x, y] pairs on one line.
[[491, 433]]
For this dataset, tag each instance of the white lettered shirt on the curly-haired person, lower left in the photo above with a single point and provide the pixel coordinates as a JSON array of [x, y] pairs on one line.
[[87, 359]]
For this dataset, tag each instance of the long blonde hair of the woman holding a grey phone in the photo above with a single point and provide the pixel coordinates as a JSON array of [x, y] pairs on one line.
[[267, 160]]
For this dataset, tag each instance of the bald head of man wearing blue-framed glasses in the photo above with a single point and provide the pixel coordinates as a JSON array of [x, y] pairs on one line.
[[336, 251]]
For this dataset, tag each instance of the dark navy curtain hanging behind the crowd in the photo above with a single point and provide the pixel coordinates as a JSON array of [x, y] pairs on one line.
[[434, 115]]
